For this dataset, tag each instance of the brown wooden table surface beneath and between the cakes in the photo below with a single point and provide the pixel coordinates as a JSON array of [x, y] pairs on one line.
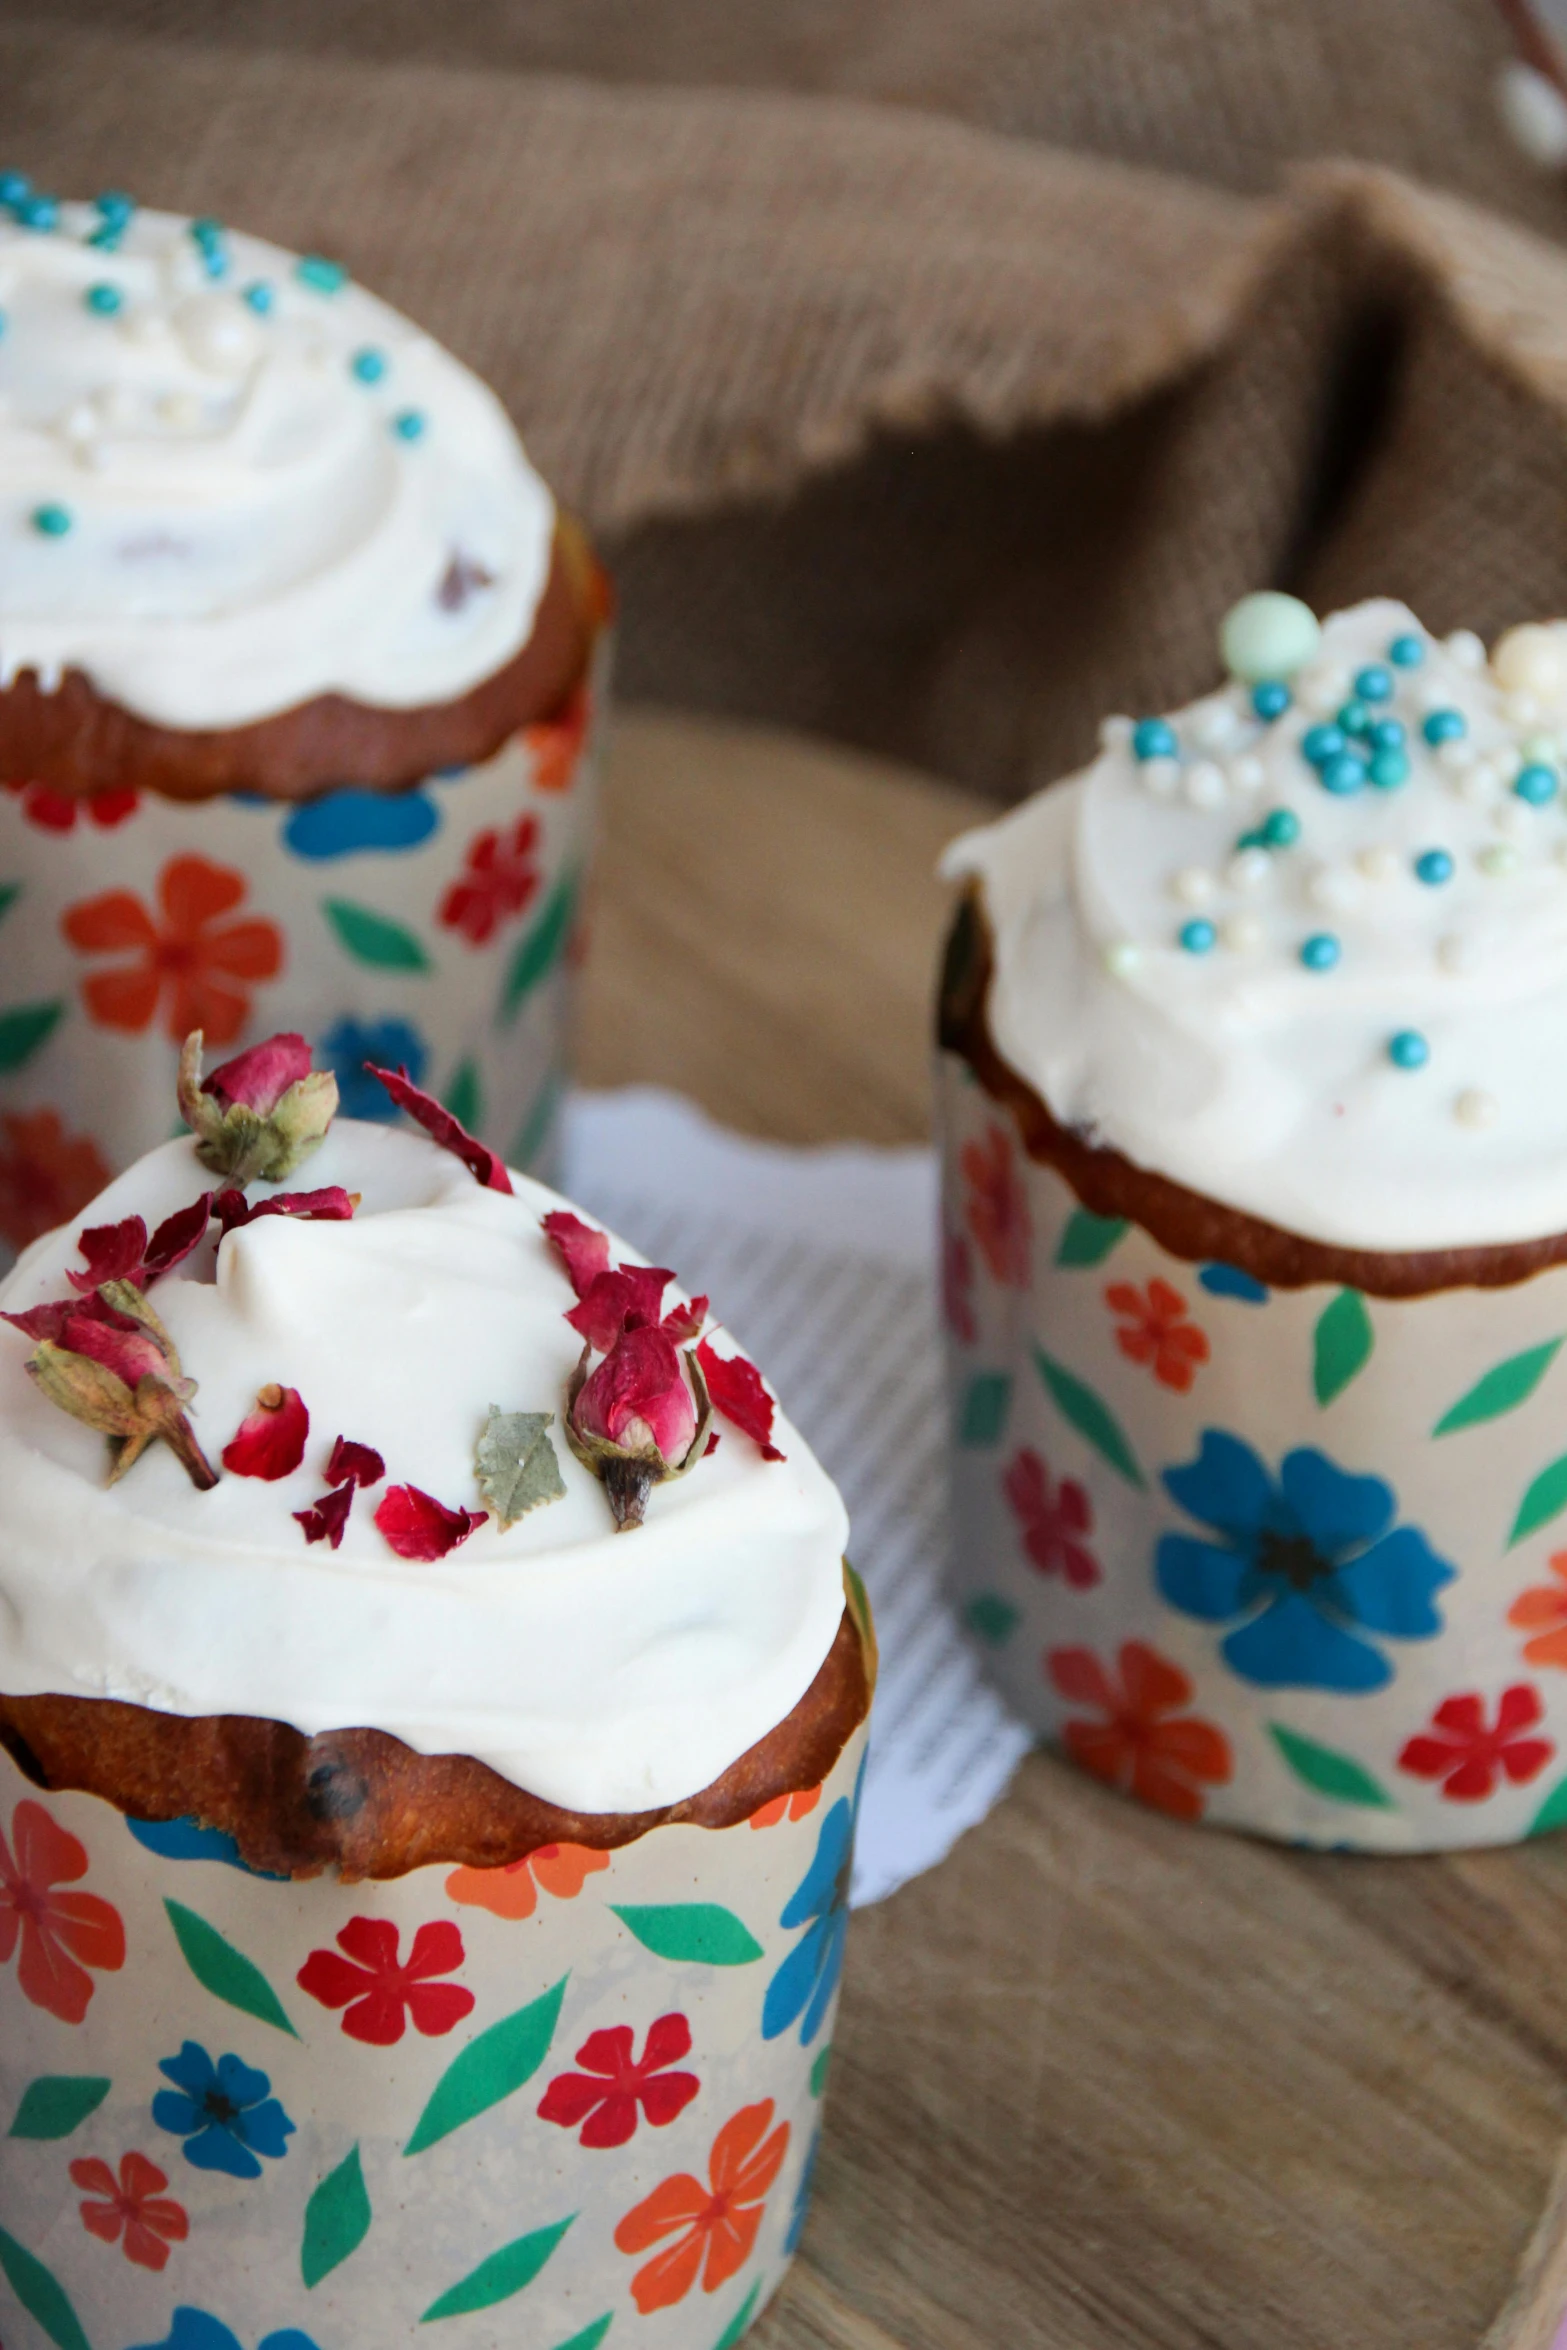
[[1101, 2081]]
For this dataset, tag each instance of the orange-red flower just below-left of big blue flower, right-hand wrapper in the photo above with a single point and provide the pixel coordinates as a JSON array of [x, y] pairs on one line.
[[1141, 1745]]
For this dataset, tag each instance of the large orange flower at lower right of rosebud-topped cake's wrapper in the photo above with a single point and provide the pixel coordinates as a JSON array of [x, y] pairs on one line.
[[711, 2224]]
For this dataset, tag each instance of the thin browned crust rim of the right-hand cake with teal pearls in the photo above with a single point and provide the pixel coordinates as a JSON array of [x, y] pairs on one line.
[[1185, 1223]]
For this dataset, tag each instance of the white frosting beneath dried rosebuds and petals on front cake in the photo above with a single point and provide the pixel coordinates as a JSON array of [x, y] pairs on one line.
[[603, 1672]]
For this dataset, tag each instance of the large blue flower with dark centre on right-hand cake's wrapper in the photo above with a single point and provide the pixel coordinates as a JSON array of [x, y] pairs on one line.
[[1312, 1564]]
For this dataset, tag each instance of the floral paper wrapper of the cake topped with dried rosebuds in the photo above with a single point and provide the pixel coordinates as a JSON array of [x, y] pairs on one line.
[[419, 2194]]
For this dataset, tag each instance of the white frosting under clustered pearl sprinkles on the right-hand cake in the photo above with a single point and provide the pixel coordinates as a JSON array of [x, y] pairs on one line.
[[1239, 1070]]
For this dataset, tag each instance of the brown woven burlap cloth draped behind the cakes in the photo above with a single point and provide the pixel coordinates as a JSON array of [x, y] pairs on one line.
[[903, 408]]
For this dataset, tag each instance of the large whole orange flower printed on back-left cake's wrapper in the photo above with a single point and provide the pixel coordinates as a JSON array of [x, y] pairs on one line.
[[184, 958]]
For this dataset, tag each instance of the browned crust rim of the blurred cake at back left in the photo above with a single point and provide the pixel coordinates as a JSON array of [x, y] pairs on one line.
[[81, 744]]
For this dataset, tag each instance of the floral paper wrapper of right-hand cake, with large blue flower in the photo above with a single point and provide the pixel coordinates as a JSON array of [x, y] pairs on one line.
[[1289, 1562]]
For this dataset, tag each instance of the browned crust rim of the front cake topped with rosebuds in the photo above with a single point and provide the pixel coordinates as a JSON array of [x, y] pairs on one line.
[[365, 1804]]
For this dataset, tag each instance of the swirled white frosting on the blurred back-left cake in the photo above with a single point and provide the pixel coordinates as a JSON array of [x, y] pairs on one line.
[[248, 525]]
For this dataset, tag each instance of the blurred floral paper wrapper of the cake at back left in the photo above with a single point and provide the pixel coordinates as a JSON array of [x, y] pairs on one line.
[[431, 927]]
